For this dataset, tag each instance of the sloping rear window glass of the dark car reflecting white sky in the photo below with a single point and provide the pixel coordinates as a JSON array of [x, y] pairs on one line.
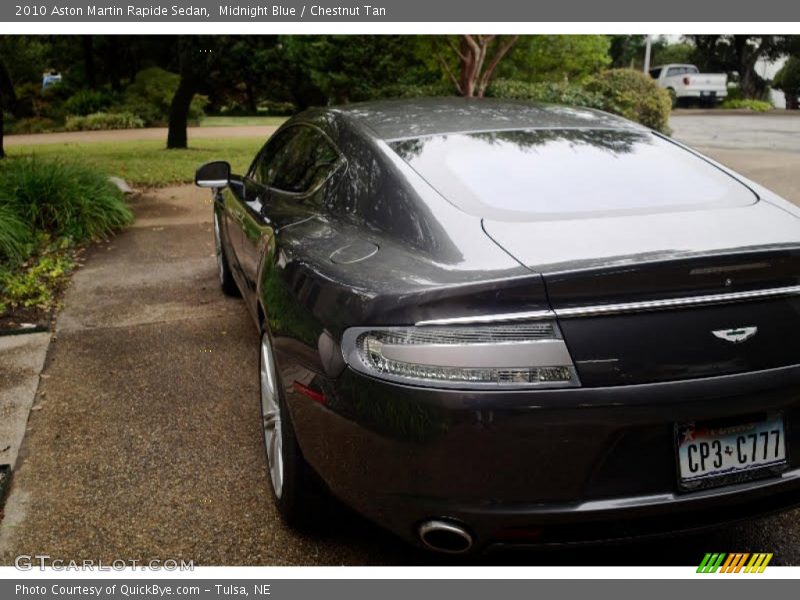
[[565, 172]]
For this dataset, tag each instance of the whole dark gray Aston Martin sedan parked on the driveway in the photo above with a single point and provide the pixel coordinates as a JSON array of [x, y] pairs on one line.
[[500, 323]]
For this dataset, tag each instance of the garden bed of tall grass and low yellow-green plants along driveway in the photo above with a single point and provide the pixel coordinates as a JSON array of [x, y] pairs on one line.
[[50, 210]]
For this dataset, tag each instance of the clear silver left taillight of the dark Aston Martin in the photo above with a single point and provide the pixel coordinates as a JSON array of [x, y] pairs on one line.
[[503, 356]]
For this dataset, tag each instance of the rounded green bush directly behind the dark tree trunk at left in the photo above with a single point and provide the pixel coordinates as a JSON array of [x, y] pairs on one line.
[[150, 96]]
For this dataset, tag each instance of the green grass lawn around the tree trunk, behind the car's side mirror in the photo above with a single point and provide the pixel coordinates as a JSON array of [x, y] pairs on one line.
[[146, 162]]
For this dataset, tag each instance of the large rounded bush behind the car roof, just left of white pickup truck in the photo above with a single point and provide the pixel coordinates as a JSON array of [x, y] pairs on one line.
[[633, 95]]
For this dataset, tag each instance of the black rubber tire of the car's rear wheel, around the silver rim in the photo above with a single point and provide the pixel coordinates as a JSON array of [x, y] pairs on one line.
[[300, 497]]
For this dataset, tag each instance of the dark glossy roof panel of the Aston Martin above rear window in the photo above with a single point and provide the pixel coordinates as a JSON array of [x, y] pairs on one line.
[[400, 119]]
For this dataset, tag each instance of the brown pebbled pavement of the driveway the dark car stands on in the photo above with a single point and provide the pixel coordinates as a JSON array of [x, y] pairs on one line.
[[145, 439]]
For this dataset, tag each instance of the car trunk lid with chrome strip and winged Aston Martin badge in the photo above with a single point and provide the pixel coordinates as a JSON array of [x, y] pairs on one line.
[[647, 298]]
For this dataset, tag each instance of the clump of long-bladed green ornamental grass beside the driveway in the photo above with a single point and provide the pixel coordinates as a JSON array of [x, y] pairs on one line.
[[62, 198]]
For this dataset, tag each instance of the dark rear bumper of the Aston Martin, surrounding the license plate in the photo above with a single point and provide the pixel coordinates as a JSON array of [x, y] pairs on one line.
[[550, 466]]
